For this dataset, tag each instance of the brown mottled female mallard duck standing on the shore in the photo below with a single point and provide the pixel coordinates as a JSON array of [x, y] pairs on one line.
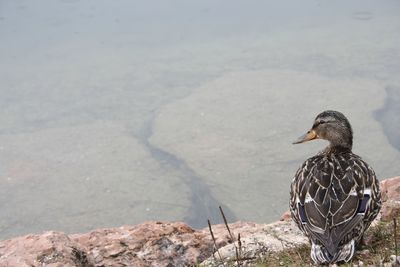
[[334, 195]]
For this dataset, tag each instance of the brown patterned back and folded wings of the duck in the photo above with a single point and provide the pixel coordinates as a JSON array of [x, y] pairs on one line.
[[334, 199]]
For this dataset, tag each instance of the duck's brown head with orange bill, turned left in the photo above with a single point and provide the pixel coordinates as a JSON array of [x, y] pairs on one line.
[[332, 126]]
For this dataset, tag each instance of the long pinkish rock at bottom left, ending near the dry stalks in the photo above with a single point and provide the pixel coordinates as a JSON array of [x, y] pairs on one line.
[[148, 244]]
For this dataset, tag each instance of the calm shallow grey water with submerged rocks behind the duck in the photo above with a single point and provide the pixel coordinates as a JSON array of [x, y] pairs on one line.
[[119, 112]]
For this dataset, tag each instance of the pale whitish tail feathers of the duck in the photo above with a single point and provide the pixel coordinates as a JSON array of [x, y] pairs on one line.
[[321, 255]]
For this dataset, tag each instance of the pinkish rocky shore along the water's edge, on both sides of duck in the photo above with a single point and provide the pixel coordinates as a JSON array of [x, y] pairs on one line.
[[166, 243]]
